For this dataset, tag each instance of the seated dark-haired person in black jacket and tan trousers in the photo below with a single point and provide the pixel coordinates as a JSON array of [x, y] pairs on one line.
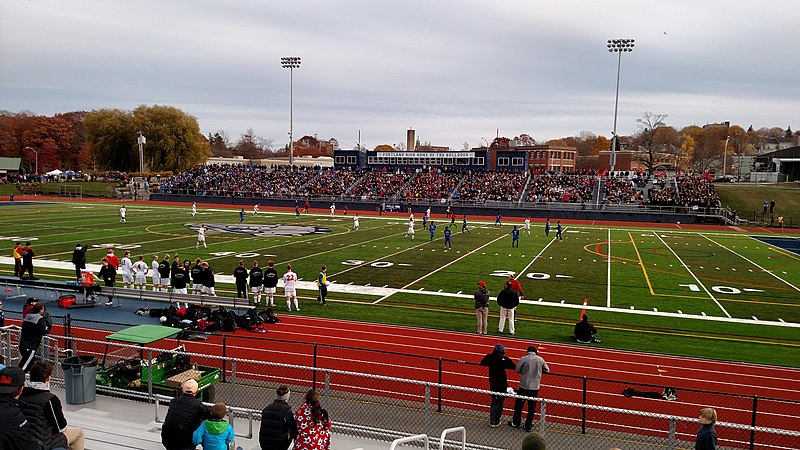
[[44, 412]]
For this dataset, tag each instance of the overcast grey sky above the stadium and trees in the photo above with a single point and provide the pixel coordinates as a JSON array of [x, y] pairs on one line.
[[455, 71]]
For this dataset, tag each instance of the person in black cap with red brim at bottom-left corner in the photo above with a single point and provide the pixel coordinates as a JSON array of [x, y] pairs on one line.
[[15, 433]]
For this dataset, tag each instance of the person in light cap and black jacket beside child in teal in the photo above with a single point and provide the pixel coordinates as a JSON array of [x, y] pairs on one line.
[[184, 415]]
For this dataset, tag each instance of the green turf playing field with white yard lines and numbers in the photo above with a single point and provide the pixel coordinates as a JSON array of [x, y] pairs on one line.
[[715, 294]]
